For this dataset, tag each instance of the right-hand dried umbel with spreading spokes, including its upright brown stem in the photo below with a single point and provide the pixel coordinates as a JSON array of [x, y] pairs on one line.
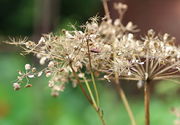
[[152, 58]]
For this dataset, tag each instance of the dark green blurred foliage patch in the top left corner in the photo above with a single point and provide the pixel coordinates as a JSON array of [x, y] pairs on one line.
[[16, 17]]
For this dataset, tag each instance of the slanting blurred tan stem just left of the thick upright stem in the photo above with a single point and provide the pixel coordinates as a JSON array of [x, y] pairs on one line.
[[124, 99]]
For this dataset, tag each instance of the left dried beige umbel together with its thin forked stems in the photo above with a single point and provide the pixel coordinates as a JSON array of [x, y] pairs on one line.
[[68, 54]]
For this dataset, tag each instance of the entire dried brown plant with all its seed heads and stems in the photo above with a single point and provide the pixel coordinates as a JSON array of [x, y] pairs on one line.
[[105, 46]]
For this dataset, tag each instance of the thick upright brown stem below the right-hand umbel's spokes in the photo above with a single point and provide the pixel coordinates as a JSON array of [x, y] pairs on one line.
[[146, 102]]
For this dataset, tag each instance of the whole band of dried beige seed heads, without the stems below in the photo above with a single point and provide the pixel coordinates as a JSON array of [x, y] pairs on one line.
[[111, 46]]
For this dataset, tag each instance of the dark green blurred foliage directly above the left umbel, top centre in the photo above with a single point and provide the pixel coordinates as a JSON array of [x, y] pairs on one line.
[[77, 12]]
